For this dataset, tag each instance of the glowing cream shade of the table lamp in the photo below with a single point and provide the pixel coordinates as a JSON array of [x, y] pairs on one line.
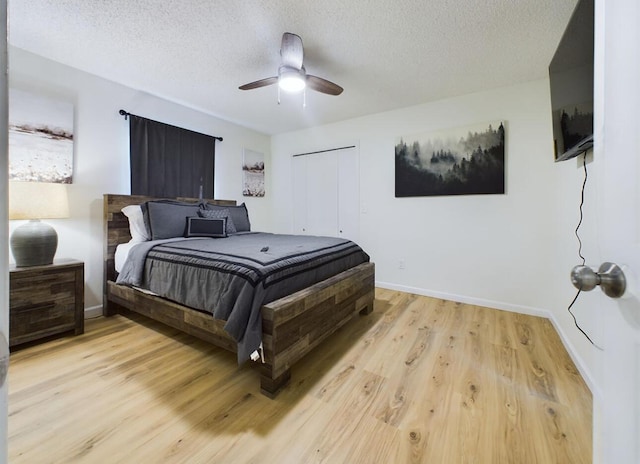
[[37, 200]]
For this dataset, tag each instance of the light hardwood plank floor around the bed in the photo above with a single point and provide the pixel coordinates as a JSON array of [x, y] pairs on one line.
[[420, 380]]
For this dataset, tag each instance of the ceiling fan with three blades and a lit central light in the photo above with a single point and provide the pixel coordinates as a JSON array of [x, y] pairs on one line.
[[292, 77]]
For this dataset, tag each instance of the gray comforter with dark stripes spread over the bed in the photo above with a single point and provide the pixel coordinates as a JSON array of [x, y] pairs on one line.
[[231, 278]]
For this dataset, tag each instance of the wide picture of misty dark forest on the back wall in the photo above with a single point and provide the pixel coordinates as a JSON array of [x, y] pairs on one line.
[[463, 161]]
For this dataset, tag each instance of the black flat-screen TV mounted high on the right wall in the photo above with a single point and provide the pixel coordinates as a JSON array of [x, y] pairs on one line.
[[571, 82]]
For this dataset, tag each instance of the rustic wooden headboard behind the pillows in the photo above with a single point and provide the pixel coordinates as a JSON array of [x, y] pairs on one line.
[[116, 224]]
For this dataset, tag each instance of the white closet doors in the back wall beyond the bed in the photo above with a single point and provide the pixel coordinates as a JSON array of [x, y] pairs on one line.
[[326, 193]]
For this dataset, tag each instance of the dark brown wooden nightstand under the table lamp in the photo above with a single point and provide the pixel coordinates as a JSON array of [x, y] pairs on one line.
[[45, 300]]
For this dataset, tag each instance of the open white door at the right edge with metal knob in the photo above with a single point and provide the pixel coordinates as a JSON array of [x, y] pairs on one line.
[[617, 156]]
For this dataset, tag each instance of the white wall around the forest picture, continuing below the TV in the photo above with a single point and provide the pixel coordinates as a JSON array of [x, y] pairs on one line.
[[512, 251]]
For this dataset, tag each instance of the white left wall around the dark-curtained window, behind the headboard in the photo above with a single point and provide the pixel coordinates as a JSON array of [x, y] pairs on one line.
[[101, 152]]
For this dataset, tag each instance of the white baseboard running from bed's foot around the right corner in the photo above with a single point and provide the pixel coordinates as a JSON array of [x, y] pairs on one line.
[[528, 310]]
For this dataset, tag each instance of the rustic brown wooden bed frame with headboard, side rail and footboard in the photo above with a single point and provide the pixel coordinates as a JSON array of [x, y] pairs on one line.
[[291, 326]]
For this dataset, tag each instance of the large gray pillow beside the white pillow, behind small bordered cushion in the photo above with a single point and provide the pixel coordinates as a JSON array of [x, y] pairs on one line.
[[168, 219]]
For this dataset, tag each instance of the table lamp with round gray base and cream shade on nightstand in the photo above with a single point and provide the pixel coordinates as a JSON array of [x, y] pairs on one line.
[[34, 243]]
